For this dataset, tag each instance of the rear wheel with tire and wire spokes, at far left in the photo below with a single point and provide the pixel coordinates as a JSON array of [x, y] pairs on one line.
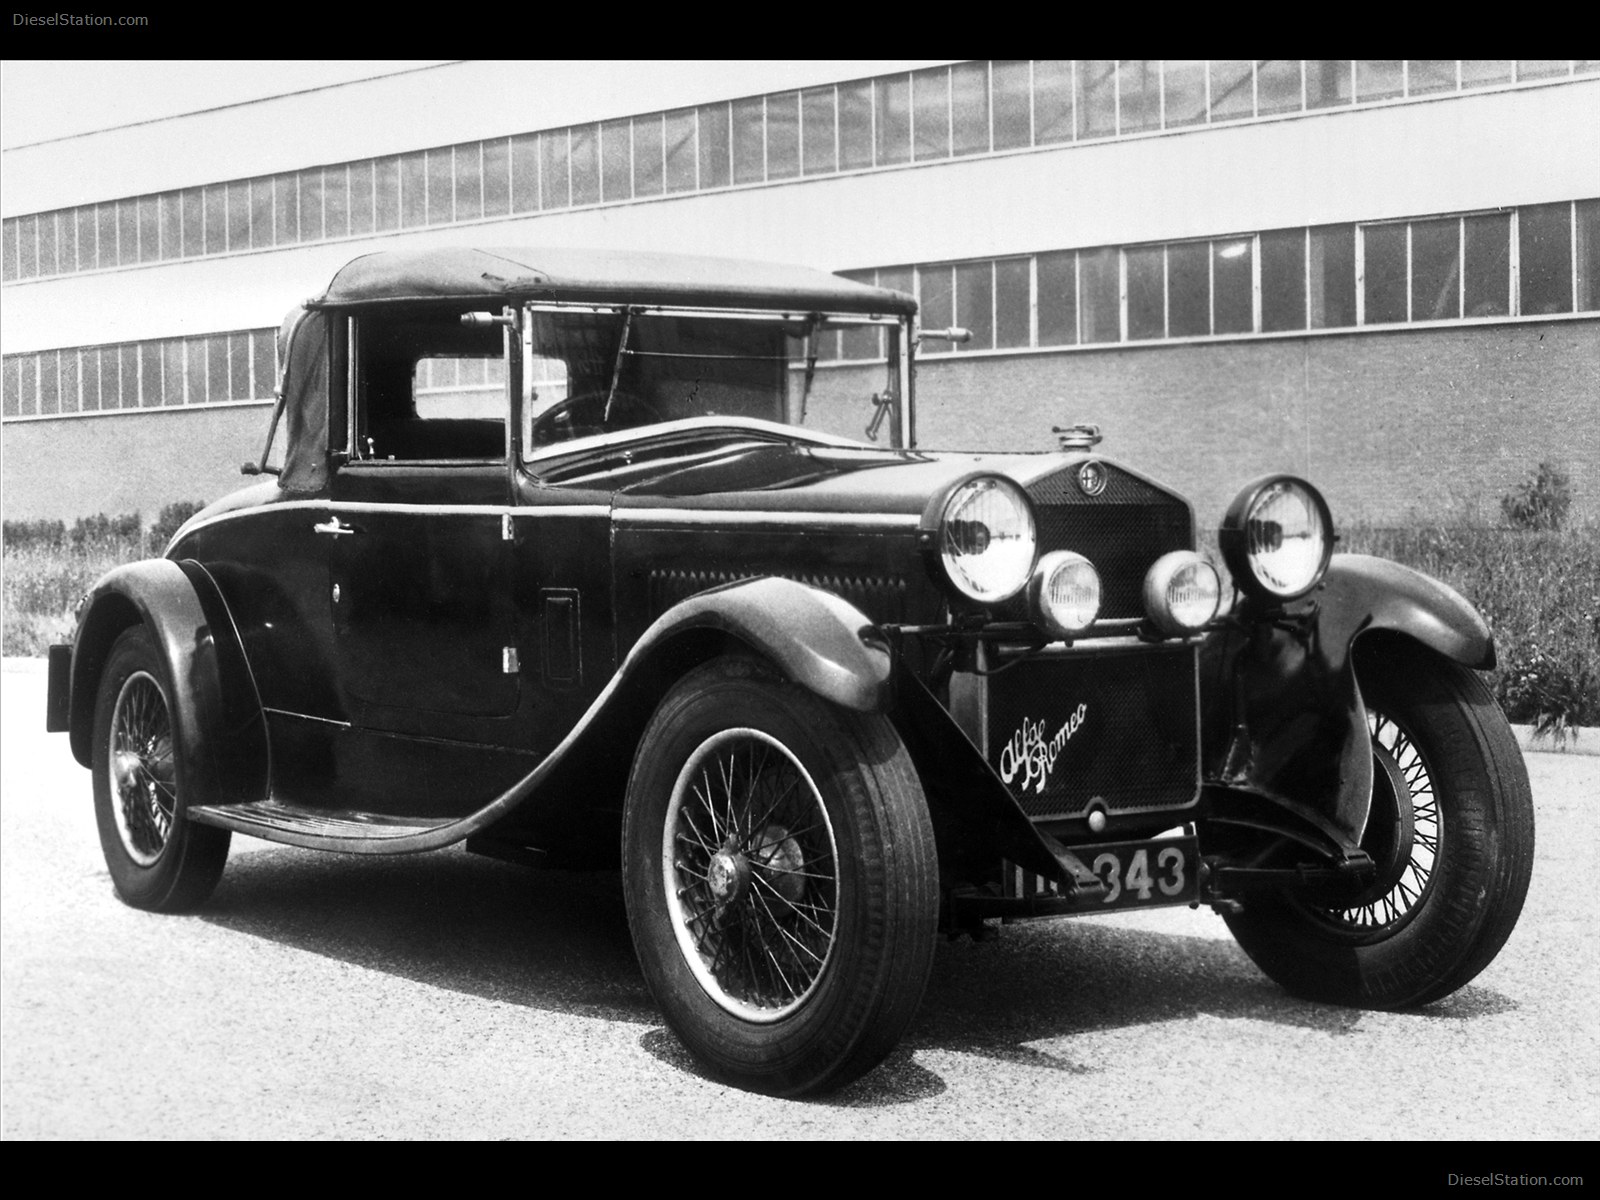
[[159, 860]]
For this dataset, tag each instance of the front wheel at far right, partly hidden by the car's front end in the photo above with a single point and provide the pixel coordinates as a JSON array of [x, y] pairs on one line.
[[1452, 814]]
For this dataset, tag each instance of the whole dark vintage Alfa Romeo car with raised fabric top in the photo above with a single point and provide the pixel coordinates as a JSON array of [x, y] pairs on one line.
[[596, 561]]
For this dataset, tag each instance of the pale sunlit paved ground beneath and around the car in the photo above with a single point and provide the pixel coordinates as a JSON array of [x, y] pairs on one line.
[[449, 996]]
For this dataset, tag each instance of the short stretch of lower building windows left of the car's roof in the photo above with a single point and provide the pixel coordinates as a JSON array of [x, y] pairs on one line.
[[166, 374]]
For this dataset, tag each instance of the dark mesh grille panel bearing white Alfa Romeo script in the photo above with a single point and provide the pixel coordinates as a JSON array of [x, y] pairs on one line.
[[1114, 726]]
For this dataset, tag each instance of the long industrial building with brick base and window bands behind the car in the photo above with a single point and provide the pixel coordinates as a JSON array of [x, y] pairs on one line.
[[1380, 274]]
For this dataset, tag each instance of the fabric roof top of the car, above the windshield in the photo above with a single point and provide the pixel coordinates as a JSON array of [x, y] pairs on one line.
[[599, 276]]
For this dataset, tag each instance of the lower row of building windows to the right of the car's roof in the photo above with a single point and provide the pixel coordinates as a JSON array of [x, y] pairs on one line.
[[1532, 262]]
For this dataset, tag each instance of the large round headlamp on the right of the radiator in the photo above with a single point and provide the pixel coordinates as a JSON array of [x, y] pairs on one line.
[[1278, 538]]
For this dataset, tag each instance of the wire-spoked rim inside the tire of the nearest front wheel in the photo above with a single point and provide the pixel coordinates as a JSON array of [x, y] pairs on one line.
[[751, 873]]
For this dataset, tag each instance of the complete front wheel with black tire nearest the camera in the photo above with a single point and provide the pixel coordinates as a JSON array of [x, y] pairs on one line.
[[782, 879]]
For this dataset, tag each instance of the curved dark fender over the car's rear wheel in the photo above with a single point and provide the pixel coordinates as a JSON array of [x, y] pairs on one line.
[[217, 711]]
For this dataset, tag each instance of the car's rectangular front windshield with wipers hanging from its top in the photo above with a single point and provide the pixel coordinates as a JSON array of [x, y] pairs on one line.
[[591, 372]]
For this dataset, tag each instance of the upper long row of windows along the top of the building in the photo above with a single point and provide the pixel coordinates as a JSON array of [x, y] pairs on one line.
[[926, 116]]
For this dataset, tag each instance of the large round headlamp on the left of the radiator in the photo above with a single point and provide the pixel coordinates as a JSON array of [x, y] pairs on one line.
[[986, 540]]
